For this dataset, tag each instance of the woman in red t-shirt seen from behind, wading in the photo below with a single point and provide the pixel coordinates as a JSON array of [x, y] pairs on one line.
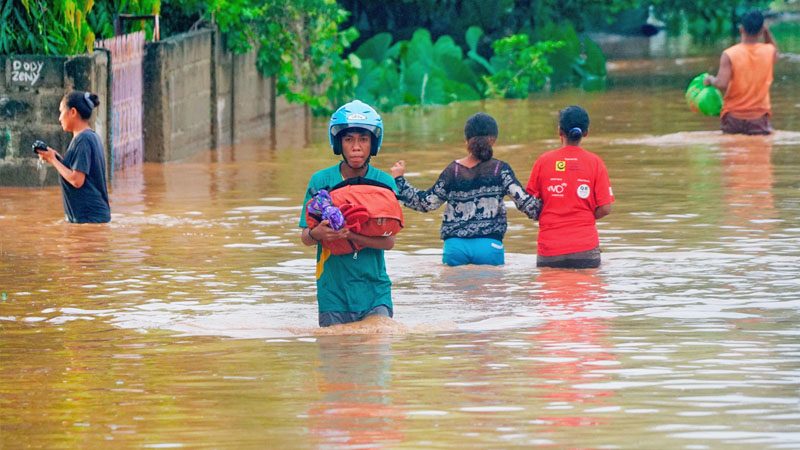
[[575, 191]]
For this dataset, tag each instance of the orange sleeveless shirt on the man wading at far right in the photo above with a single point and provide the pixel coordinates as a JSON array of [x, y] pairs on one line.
[[747, 96]]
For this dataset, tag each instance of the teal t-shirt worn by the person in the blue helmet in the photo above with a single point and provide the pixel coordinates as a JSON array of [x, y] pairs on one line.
[[345, 283]]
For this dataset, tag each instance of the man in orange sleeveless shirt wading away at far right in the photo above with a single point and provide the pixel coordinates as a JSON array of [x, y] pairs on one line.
[[745, 75]]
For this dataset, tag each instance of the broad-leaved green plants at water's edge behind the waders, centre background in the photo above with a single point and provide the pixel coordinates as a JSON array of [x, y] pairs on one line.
[[420, 71]]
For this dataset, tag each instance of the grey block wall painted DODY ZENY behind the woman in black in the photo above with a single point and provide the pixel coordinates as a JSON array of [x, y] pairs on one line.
[[31, 89]]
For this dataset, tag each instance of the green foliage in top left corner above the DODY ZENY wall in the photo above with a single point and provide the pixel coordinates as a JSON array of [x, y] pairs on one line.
[[45, 27]]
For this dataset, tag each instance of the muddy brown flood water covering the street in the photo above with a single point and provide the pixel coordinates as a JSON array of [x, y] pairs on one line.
[[169, 327]]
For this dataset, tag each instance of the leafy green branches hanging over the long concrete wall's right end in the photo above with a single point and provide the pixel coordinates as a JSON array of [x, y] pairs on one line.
[[298, 42]]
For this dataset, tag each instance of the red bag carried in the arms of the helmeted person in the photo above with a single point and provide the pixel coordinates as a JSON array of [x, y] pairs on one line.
[[370, 208]]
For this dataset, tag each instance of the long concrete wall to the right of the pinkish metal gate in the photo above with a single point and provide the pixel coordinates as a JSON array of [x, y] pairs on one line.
[[200, 96]]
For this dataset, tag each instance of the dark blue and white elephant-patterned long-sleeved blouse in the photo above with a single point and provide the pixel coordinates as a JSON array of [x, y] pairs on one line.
[[474, 199]]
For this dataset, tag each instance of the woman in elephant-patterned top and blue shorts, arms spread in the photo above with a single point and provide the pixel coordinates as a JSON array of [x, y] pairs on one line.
[[474, 220]]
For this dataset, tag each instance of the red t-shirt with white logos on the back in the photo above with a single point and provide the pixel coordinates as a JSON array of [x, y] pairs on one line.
[[572, 183]]
